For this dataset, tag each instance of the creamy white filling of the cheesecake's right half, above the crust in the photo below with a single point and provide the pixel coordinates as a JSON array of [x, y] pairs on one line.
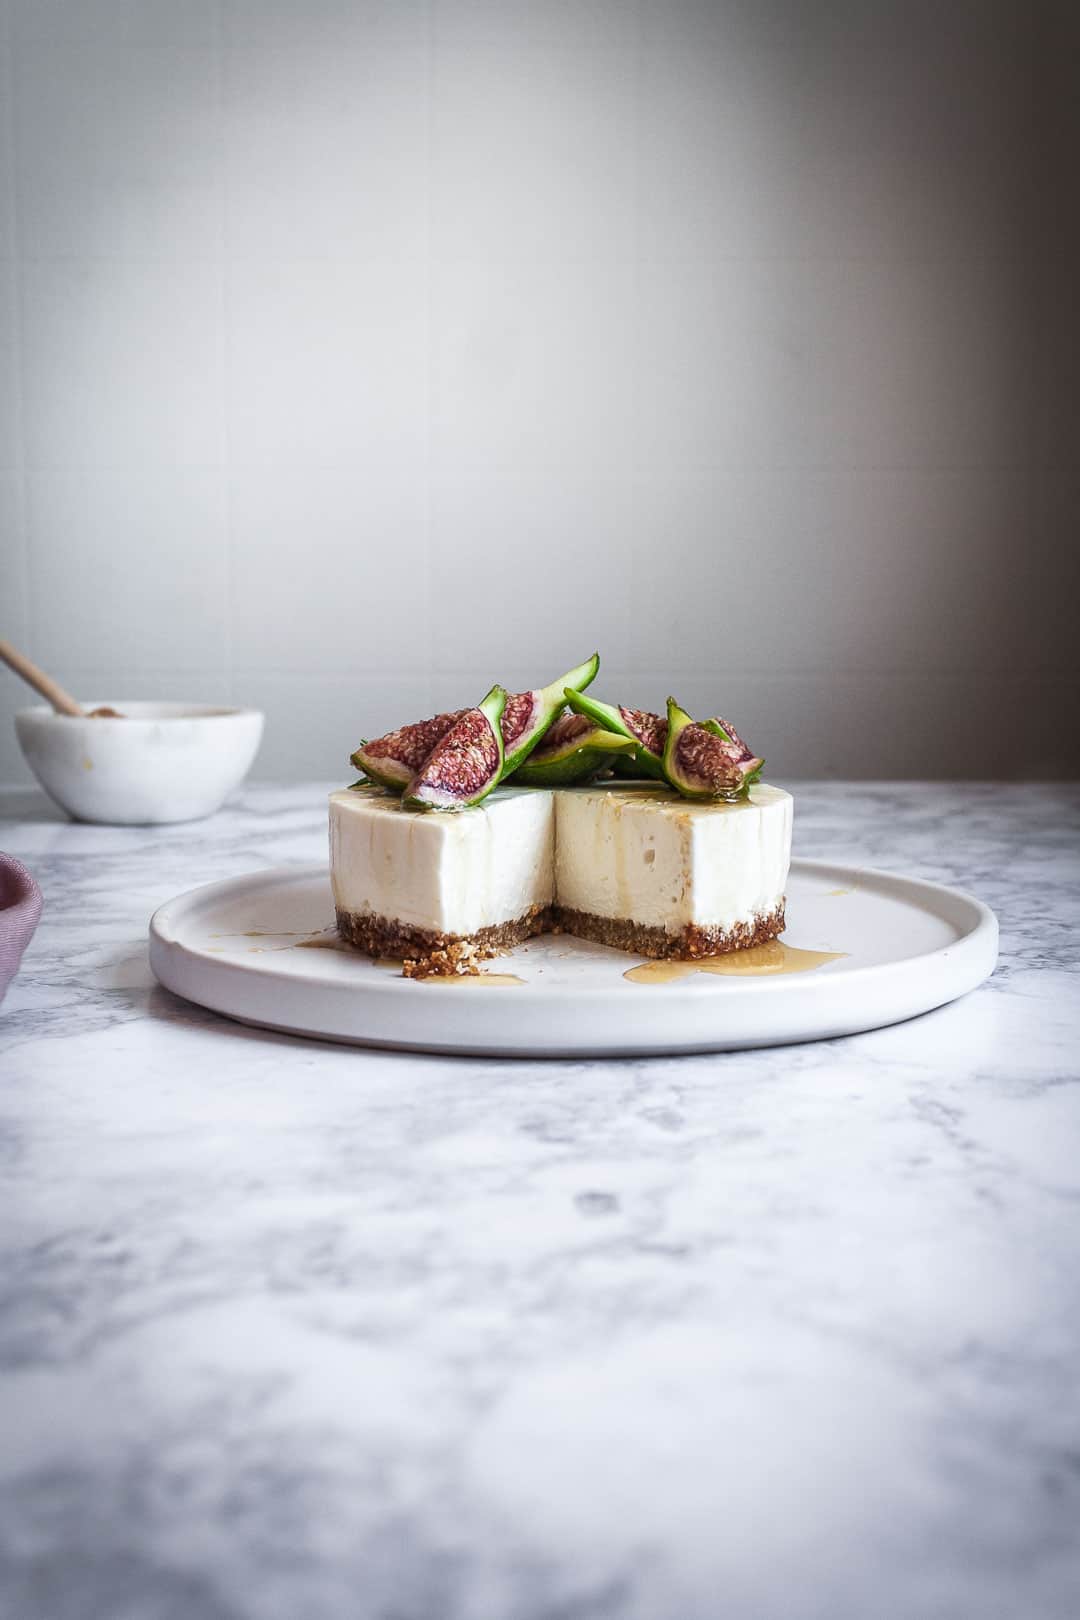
[[666, 863]]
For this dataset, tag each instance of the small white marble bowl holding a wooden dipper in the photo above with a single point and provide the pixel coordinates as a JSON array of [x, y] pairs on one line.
[[164, 762]]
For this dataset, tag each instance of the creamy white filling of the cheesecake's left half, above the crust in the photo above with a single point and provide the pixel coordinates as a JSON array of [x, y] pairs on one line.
[[446, 874]]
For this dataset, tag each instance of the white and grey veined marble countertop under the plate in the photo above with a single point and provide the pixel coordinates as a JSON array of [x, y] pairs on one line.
[[296, 1332]]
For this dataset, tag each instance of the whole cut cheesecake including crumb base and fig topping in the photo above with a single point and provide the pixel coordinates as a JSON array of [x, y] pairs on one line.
[[543, 811]]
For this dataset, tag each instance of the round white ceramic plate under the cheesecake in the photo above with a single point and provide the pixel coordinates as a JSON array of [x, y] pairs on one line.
[[909, 947]]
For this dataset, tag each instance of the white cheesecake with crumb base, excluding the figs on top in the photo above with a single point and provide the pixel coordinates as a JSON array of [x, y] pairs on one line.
[[629, 866]]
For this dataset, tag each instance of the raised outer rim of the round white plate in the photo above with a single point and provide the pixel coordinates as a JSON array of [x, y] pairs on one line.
[[600, 1025]]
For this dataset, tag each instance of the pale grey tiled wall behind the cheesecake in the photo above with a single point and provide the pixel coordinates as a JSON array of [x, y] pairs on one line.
[[355, 354]]
